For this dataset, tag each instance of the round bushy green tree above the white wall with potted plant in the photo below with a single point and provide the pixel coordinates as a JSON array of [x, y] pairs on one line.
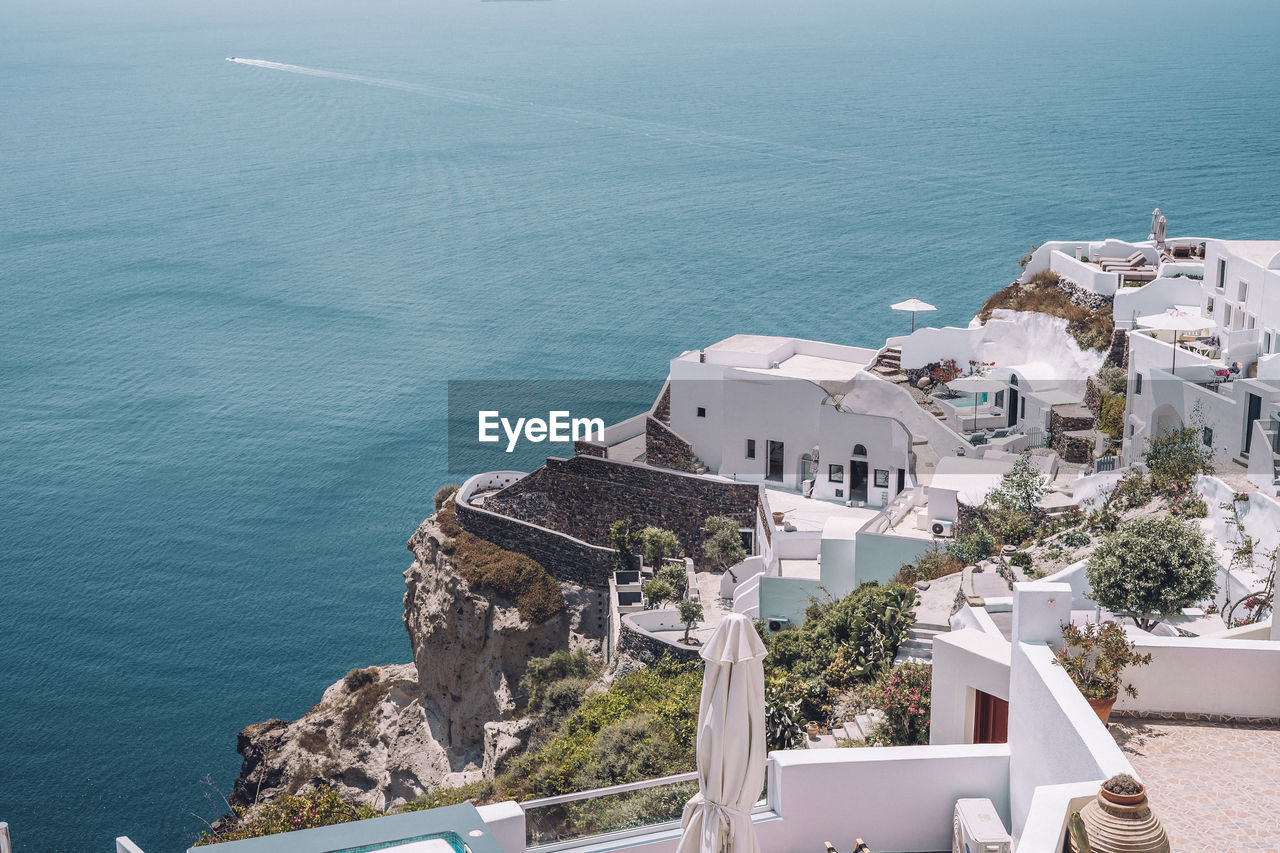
[[1151, 568]]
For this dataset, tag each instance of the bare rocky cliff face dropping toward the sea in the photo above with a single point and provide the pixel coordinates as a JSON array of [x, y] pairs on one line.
[[387, 736]]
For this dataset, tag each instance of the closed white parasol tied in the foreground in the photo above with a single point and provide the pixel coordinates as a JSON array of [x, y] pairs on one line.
[[732, 750]]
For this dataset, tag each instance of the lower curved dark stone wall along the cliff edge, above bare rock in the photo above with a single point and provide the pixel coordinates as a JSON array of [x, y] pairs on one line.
[[569, 560]]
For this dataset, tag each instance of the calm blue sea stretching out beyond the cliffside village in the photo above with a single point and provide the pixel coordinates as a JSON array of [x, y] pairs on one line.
[[231, 297]]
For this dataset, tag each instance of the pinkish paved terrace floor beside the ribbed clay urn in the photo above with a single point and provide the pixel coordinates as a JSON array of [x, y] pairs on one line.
[[1213, 784]]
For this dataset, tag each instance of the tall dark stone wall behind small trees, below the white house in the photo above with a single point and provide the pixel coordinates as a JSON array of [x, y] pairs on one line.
[[583, 496]]
